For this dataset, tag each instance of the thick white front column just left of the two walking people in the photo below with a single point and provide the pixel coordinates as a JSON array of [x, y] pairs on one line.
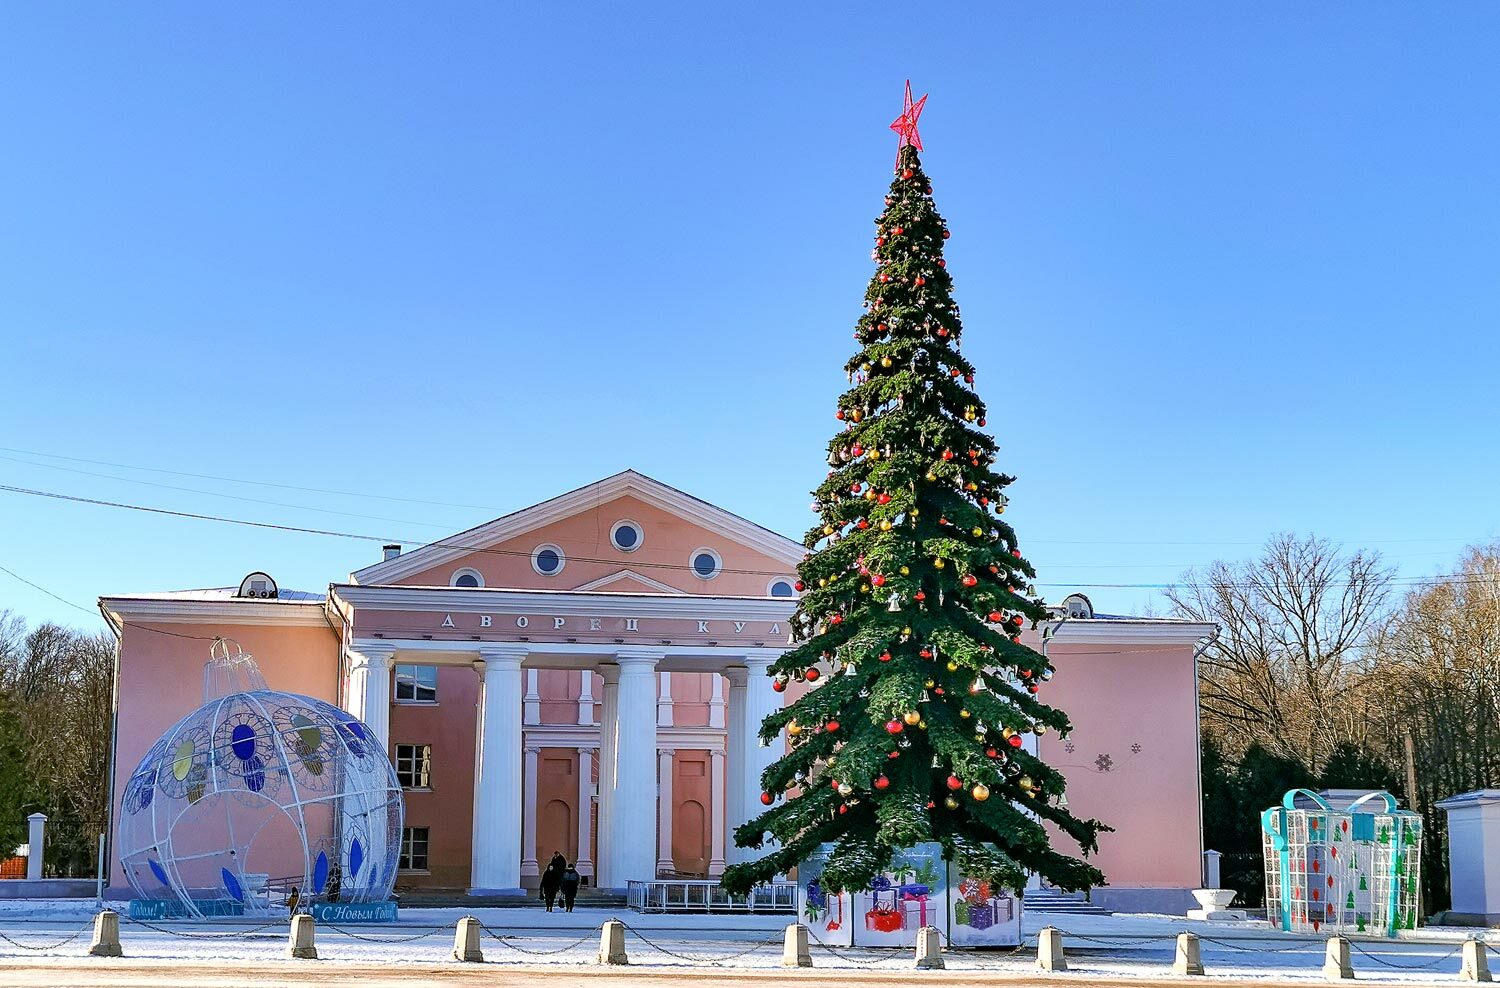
[[497, 776]]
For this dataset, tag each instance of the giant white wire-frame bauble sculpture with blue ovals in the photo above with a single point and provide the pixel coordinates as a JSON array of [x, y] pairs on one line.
[[260, 800]]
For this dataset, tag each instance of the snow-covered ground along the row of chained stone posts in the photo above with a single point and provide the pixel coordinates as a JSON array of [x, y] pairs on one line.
[[1126, 945]]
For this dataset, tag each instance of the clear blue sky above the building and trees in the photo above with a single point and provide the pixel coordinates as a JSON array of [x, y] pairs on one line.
[[1226, 271]]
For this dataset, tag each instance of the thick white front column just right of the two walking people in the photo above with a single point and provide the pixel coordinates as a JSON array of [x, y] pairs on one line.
[[634, 798]]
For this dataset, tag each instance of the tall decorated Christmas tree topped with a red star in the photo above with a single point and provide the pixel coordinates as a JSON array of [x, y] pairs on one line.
[[914, 599]]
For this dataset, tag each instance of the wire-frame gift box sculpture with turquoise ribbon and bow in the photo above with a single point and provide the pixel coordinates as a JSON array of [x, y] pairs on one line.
[[1354, 870]]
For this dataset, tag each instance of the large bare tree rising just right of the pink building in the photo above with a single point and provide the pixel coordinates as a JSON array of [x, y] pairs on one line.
[[1288, 668]]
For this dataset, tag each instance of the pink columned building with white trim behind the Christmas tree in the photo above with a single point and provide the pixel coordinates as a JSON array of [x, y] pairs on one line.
[[586, 677]]
